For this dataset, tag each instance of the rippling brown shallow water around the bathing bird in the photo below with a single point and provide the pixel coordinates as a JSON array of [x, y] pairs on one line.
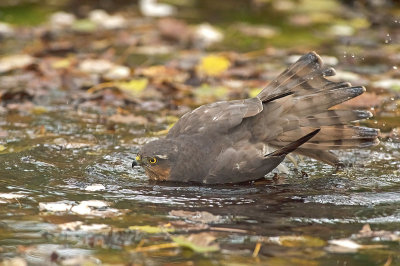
[[327, 204]]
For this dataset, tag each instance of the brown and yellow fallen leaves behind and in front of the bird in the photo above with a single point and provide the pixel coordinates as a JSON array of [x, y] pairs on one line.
[[119, 70]]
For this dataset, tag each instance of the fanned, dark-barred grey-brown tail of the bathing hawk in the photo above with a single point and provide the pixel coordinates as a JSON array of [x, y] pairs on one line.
[[299, 102]]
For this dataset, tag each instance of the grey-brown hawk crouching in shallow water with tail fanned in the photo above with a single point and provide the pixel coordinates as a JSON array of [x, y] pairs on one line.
[[239, 141]]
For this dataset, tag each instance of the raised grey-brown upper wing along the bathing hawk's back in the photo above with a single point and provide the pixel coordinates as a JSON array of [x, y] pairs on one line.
[[218, 117]]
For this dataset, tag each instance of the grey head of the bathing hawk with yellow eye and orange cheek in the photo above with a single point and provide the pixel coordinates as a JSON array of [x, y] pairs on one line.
[[157, 158]]
